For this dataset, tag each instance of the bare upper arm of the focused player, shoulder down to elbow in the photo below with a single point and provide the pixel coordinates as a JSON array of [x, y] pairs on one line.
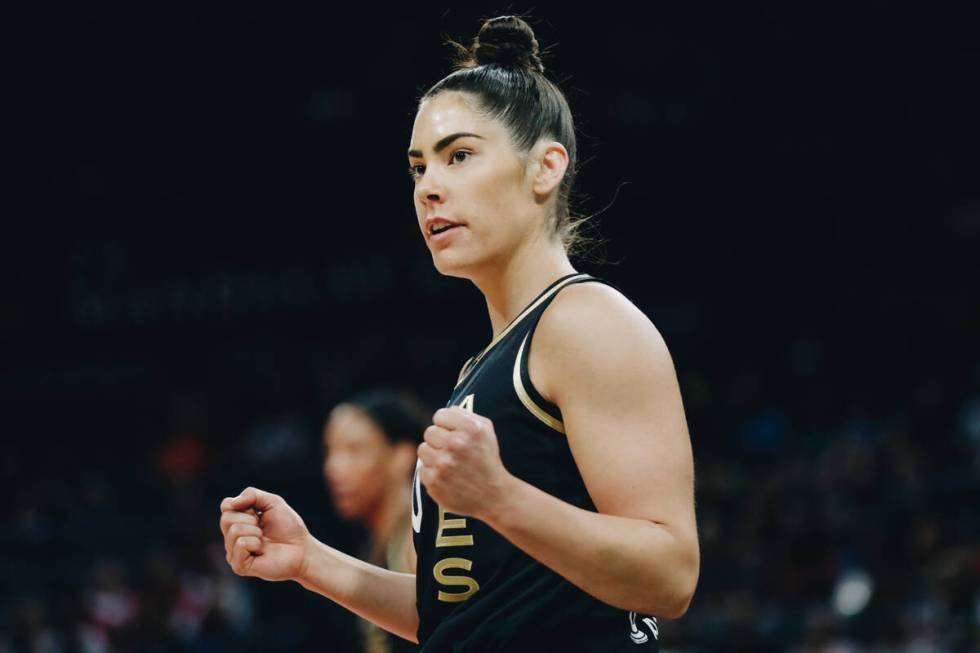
[[608, 369]]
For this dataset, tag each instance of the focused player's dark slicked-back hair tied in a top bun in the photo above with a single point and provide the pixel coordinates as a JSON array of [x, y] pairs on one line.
[[503, 70]]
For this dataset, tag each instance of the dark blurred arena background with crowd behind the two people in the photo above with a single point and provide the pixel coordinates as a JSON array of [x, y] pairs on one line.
[[211, 241]]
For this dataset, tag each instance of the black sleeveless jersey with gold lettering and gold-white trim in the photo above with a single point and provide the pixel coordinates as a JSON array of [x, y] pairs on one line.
[[475, 590]]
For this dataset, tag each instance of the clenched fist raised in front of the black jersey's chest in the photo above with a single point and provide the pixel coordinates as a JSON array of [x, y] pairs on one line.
[[461, 467]]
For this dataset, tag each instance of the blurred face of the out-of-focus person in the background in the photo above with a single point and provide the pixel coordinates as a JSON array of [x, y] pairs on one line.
[[356, 466]]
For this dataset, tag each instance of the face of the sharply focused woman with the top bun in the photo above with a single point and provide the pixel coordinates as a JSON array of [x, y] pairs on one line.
[[466, 171]]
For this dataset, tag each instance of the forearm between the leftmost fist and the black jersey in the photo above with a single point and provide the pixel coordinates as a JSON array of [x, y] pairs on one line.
[[384, 597]]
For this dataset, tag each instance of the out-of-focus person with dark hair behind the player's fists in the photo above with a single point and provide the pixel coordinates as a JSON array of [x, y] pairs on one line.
[[370, 444]]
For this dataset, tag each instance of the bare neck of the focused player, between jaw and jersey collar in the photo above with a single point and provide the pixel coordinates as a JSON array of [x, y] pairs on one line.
[[511, 288]]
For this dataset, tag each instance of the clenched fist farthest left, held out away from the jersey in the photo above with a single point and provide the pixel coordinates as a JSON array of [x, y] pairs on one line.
[[264, 537]]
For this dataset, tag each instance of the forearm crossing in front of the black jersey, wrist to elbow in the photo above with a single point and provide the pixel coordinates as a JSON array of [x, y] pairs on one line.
[[633, 564]]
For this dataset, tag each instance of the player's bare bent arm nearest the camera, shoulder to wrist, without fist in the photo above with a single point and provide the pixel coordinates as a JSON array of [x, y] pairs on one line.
[[603, 362]]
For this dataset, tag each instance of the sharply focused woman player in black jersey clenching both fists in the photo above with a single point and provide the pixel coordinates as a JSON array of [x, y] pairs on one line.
[[553, 500]]
